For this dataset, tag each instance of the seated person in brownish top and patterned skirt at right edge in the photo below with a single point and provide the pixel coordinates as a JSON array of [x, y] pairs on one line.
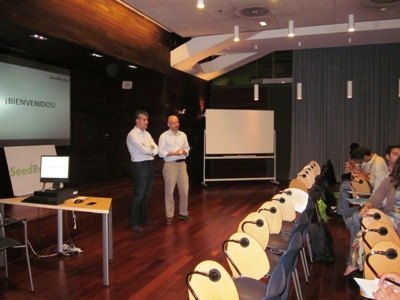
[[387, 198]]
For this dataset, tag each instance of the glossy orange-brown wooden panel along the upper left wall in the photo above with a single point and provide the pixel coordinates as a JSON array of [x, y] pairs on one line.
[[103, 25]]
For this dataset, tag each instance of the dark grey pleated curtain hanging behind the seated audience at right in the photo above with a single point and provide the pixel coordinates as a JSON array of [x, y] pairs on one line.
[[325, 122]]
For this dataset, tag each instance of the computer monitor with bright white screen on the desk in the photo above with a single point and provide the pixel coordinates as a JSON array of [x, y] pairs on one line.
[[54, 169]]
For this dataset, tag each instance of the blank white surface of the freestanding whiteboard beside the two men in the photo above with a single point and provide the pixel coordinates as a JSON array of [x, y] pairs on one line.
[[231, 131]]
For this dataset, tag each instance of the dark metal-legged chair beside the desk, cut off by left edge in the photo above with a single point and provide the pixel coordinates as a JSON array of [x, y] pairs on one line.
[[9, 243]]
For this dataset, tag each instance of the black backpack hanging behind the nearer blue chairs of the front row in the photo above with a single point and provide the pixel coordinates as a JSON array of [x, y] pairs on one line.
[[321, 243]]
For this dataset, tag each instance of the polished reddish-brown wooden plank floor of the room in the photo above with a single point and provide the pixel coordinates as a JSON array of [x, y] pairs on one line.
[[153, 265]]
